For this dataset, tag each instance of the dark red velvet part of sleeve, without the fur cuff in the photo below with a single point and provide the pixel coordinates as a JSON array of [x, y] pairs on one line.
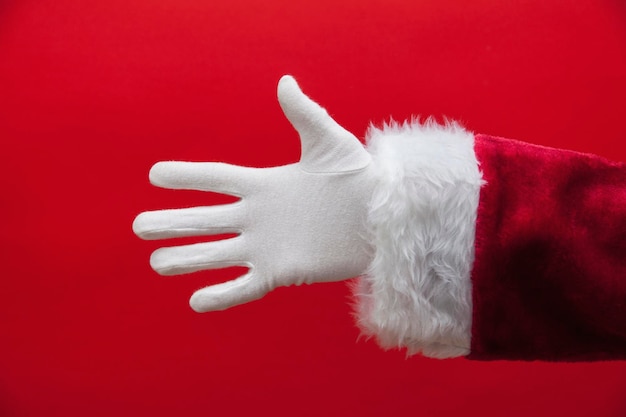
[[549, 277]]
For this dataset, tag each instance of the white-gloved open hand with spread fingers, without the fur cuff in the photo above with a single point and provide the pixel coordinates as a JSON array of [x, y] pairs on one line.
[[299, 223]]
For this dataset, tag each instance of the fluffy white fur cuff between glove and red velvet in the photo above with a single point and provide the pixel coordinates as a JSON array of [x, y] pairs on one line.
[[417, 292]]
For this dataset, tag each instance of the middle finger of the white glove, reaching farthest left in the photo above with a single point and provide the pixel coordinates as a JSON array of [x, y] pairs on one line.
[[195, 221]]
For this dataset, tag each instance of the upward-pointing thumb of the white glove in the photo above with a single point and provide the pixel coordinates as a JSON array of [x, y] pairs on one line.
[[326, 145]]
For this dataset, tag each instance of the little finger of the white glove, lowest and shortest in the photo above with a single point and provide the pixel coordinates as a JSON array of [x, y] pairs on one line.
[[229, 294]]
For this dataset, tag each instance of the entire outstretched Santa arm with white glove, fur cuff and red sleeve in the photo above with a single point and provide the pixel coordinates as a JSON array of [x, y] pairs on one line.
[[463, 244]]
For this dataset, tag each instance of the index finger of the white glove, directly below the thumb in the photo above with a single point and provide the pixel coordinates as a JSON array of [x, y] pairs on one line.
[[204, 176]]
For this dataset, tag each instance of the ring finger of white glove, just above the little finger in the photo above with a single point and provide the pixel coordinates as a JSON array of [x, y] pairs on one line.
[[198, 257]]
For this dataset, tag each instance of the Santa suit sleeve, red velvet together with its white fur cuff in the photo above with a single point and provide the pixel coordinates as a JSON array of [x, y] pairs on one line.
[[494, 249]]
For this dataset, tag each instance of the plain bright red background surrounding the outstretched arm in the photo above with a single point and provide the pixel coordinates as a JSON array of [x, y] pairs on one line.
[[92, 93]]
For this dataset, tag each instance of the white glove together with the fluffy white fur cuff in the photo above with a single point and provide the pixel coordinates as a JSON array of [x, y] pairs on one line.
[[403, 212]]
